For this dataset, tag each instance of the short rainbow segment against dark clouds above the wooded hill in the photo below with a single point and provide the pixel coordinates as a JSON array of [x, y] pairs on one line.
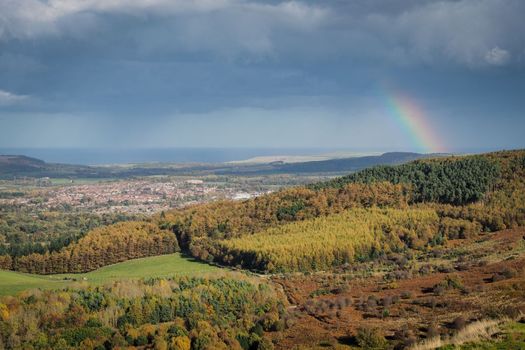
[[411, 118]]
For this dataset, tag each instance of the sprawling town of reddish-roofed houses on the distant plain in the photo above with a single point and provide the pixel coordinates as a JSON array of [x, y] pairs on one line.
[[131, 196]]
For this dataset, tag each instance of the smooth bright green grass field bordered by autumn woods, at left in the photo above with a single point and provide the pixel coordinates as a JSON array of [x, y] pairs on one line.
[[157, 266]]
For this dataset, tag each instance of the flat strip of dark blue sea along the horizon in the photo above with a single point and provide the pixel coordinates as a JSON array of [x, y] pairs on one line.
[[96, 156]]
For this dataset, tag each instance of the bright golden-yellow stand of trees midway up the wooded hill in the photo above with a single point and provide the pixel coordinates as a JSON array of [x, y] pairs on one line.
[[325, 242]]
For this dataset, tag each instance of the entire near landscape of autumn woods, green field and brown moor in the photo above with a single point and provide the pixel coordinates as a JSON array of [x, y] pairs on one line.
[[422, 255]]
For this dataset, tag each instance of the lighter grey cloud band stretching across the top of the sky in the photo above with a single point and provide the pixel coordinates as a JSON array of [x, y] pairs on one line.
[[460, 32]]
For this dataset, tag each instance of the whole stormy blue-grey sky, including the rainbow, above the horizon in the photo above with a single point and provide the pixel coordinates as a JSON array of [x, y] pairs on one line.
[[414, 75]]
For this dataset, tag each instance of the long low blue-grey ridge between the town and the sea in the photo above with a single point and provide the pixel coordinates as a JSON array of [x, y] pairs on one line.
[[12, 166]]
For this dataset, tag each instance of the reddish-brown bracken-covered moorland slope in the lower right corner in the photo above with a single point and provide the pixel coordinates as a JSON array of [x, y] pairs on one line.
[[463, 292]]
